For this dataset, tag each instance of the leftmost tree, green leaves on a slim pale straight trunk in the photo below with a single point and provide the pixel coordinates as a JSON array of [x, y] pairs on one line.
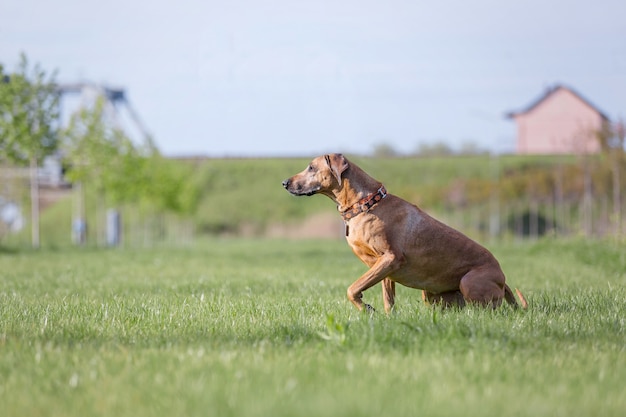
[[28, 132]]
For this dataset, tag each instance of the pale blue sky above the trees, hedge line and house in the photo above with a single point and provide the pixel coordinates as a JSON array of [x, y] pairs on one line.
[[284, 78]]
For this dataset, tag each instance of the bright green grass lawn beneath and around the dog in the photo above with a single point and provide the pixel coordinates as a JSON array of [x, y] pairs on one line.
[[263, 328]]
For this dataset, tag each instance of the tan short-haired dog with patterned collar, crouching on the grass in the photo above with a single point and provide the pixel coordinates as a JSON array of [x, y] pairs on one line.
[[401, 243]]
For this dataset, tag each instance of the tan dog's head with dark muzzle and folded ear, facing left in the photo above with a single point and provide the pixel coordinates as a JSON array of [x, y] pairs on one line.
[[322, 175]]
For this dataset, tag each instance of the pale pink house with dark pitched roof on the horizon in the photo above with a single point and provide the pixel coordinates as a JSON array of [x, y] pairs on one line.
[[561, 121]]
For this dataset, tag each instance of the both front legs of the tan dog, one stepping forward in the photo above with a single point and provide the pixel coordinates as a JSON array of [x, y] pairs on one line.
[[384, 266]]
